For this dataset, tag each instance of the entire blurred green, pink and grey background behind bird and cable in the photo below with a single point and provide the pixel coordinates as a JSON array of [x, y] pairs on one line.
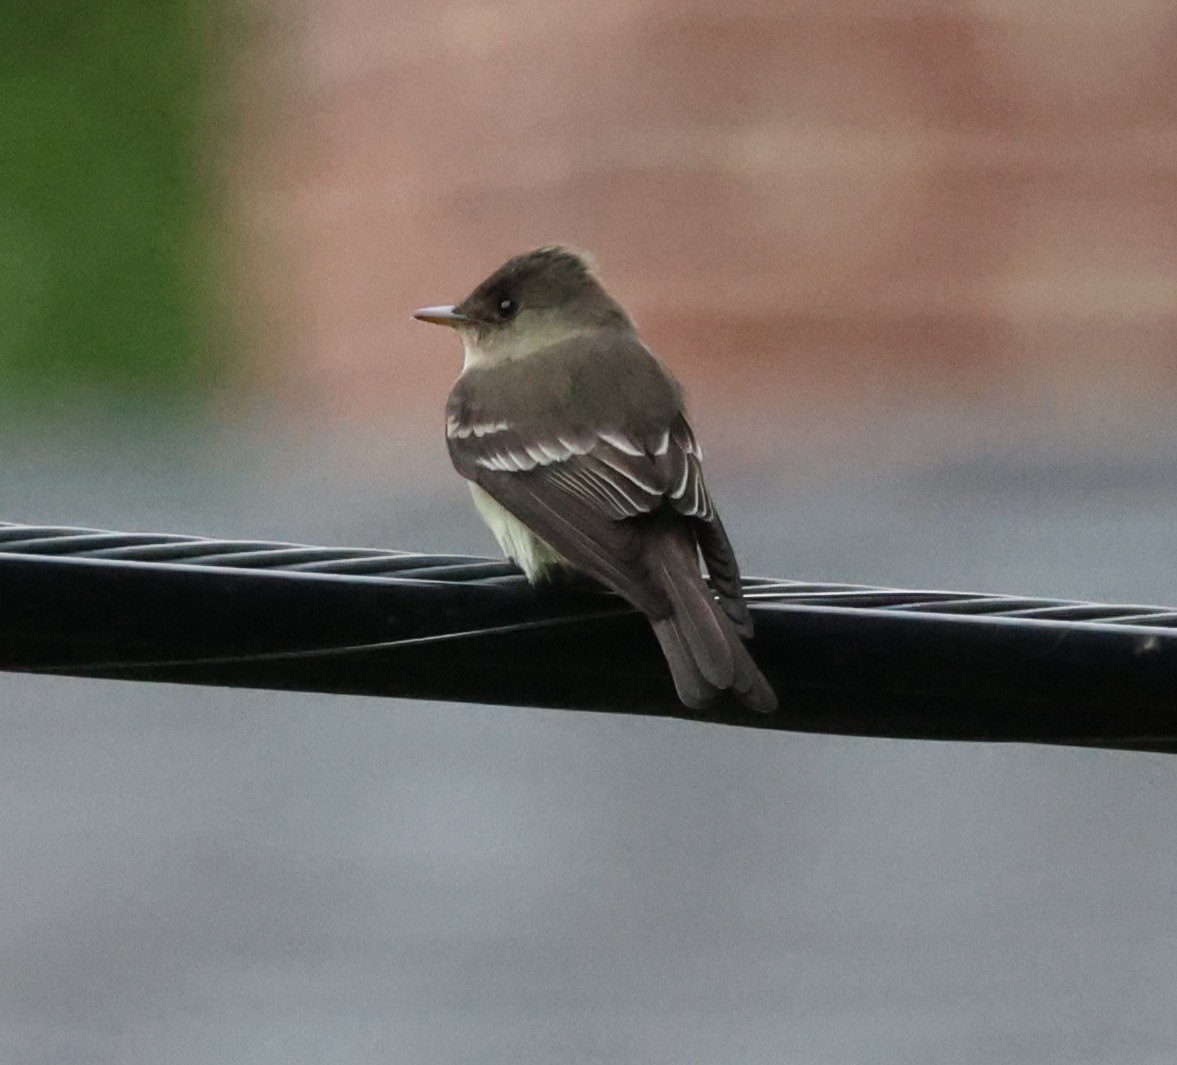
[[916, 264]]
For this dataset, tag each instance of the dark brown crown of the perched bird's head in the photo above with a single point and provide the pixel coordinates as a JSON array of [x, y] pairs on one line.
[[550, 278]]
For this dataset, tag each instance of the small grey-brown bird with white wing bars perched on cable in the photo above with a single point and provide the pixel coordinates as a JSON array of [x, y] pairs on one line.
[[576, 444]]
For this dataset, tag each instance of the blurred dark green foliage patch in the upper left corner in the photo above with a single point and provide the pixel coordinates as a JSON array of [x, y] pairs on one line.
[[105, 267]]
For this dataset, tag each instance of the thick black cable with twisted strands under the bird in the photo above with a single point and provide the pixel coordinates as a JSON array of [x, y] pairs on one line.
[[844, 658]]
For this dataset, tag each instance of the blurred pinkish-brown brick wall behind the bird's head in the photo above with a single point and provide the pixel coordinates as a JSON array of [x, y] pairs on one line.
[[806, 205]]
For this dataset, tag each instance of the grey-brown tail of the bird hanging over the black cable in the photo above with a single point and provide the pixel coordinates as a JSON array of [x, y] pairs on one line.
[[703, 649]]
